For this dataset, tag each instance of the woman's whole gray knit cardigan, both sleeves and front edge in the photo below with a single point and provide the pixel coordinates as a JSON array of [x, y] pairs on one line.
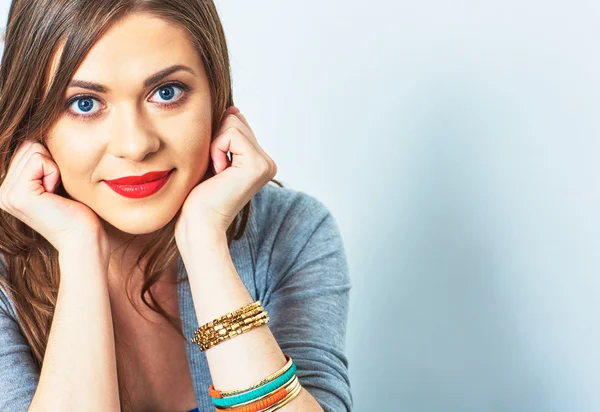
[[292, 259]]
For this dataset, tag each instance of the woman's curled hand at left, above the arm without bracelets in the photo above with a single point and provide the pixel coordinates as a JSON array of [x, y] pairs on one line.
[[27, 193]]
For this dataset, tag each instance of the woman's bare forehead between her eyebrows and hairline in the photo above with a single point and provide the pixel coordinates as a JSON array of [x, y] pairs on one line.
[[138, 45]]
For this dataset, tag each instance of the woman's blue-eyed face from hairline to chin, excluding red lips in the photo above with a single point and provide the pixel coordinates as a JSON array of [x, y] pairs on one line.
[[140, 102]]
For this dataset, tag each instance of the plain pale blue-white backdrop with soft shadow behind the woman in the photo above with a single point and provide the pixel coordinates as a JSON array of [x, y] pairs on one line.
[[455, 142]]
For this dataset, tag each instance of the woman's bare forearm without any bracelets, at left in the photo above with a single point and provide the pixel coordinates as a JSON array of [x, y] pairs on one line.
[[79, 367]]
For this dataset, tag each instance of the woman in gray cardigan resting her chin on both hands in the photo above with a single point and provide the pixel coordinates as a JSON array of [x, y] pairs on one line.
[[143, 268]]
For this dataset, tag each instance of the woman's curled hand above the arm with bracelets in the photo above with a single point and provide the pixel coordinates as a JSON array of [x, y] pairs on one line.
[[214, 203]]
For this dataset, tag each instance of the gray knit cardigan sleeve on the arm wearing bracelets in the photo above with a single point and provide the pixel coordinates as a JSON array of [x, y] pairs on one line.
[[307, 297]]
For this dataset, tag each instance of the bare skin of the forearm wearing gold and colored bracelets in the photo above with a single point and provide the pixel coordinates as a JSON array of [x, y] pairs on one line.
[[217, 289]]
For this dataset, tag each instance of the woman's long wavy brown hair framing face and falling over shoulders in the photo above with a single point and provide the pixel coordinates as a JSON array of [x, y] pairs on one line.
[[28, 109]]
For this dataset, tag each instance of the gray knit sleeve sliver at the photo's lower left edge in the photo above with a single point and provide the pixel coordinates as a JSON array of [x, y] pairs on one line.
[[18, 373]]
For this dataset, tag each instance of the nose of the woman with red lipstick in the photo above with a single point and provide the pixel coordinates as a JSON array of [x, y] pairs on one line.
[[132, 137]]
